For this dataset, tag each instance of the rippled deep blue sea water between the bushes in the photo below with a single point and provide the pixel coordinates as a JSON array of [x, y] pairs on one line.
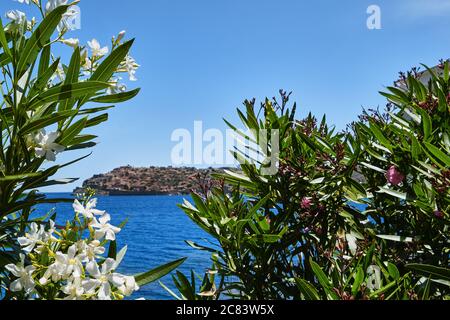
[[155, 234]]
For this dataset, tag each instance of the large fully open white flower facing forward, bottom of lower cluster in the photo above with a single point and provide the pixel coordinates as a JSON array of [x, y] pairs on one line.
[[102, 279]]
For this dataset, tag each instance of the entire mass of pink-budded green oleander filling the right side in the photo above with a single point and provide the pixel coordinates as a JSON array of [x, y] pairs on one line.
[[362, 214]]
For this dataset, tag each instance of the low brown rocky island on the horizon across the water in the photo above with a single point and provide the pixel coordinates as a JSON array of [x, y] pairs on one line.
[[130, 180]]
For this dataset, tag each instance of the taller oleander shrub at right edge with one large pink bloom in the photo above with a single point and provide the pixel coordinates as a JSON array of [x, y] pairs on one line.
[[406, 163]]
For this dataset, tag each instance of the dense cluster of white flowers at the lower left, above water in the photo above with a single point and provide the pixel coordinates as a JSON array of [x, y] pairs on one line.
[[68, 261]]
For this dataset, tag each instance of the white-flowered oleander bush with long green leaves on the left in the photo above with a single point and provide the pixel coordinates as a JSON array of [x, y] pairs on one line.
[[47, 107]]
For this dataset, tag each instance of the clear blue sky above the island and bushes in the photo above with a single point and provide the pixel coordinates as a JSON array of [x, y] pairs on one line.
[[201, 58]]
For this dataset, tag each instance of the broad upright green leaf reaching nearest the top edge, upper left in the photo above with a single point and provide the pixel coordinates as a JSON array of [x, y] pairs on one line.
[[39, 39]]
